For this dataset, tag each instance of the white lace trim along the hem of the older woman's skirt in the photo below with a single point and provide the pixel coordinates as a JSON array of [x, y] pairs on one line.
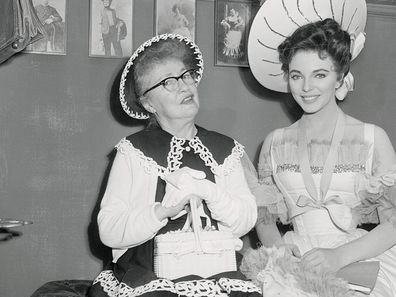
[[195, 288]]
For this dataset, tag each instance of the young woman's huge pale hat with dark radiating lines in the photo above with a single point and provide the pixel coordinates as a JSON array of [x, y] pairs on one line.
[[278, 19]]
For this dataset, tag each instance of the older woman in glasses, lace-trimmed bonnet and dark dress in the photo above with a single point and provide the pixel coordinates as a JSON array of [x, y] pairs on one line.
[[157, 170]]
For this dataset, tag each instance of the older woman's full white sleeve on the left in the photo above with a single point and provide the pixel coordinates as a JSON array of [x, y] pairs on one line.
[[125, 218]]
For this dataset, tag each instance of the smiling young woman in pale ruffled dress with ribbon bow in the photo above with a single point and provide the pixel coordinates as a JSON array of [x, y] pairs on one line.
[[328, 172]]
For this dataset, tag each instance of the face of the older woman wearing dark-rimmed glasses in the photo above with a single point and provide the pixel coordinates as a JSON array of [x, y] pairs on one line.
[[168, 106]]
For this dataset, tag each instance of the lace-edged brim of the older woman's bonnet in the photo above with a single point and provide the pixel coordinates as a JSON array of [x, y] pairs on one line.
[[126, 92]]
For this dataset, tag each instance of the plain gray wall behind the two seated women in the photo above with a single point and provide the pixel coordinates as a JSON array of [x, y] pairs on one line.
[[58, 127]]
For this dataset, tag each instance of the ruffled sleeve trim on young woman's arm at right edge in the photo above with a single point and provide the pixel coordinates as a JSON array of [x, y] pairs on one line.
[[377, 193]]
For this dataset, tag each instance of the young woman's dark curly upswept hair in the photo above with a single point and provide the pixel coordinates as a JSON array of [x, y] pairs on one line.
[[325, 37]]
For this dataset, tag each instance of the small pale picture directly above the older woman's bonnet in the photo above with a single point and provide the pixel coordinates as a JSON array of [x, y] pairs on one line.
[[175, 16]]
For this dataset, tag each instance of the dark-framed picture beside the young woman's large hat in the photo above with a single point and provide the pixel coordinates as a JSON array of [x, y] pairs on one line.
[[232, 23]]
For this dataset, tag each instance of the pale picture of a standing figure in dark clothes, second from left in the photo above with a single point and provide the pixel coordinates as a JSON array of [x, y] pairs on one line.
[[110, 28]]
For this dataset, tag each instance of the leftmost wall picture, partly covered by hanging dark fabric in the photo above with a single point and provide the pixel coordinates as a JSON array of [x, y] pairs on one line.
[[52, 14]]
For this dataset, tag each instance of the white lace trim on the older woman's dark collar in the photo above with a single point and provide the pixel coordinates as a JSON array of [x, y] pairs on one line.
[[176, 154]]
